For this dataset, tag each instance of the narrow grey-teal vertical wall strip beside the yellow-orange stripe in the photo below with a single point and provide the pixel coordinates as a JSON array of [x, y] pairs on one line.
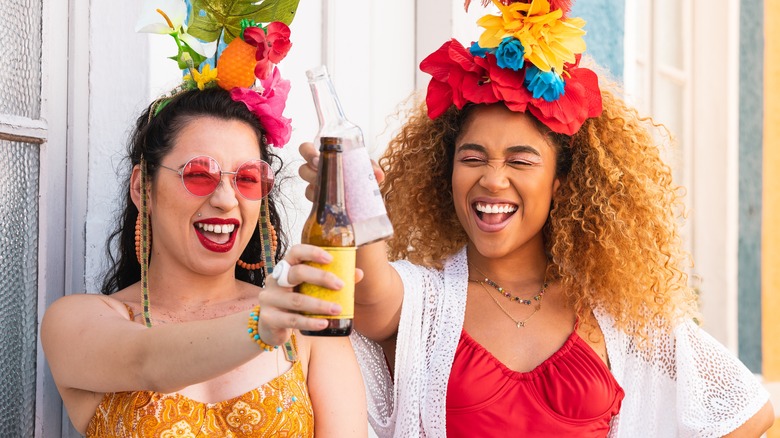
[[751, 114]]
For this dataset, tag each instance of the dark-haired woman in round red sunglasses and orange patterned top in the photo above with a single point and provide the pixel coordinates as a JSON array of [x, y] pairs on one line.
[[188, 338]]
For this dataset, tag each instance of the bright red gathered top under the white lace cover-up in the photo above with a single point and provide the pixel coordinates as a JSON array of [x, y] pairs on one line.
[[571, 394]]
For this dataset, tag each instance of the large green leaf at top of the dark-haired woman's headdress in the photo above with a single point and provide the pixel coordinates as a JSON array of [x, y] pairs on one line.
[[211, 19]]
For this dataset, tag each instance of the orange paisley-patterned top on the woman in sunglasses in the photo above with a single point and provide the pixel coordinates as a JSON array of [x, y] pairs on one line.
[[279, 408]]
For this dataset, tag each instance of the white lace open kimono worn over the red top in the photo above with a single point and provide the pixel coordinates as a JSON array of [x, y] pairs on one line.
[[689, 385]]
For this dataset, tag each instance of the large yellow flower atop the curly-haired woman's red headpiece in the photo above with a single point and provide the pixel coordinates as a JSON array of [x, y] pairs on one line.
[[548, 40]]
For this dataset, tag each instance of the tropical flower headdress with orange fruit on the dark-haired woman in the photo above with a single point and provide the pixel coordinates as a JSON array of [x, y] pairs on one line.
[[221, 44]]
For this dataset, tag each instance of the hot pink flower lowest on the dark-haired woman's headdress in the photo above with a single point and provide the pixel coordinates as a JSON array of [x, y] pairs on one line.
[[268, 104]]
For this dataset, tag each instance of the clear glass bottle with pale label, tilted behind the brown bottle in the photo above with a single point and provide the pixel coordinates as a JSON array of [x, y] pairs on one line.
[[364, 200]]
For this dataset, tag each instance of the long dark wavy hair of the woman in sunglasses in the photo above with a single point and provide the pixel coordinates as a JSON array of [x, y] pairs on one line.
[[153, 138]]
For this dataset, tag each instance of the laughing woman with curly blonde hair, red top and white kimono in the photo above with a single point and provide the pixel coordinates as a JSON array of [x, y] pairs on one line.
[[537, 284]]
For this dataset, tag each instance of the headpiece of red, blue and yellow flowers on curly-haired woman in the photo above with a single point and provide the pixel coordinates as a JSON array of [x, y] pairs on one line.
[[527, 57]]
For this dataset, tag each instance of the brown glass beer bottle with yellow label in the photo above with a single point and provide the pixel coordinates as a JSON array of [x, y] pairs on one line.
[[329, 226]]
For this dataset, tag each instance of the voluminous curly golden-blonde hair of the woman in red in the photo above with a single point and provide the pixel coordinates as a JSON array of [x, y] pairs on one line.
[[612, 235]]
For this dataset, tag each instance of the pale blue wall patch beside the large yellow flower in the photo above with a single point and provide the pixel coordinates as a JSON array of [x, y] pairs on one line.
[[605, 27]]
